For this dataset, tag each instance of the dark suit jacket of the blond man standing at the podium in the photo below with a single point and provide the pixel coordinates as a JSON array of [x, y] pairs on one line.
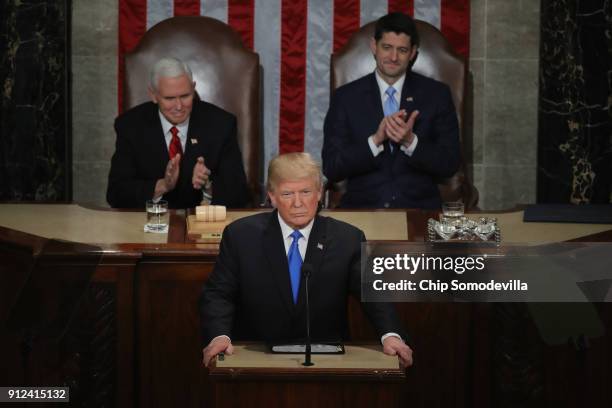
[[248, 295]]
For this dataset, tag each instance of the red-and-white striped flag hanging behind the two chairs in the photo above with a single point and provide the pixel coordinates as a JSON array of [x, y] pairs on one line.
[[294, 39]]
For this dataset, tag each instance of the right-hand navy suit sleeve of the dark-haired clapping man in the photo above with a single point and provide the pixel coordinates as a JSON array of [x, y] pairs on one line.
[[440, 153]]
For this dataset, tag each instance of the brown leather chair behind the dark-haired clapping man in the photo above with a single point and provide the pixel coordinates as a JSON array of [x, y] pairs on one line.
[[436, 59]]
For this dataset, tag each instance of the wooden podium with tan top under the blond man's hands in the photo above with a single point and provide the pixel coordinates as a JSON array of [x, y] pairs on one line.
[[255, 377]]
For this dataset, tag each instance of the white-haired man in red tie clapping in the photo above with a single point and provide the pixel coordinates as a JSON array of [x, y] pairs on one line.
[[175, 146]]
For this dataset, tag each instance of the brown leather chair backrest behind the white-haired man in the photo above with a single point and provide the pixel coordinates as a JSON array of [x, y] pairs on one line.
[[226, 74]]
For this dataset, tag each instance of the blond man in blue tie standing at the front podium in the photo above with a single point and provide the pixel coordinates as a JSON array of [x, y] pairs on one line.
[[256, 292]]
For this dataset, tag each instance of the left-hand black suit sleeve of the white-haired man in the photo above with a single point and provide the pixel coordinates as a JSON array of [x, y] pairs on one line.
[[125, 188]]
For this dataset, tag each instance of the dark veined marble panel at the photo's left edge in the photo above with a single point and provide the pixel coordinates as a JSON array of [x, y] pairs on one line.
[[34, 116]]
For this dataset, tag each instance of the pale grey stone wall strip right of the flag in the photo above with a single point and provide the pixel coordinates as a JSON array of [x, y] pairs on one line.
[[504, 48]]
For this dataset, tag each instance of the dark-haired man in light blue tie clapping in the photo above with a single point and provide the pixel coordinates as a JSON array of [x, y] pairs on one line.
[[393, 133]]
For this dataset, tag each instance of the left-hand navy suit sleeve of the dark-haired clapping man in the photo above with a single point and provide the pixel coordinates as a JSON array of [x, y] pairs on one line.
[[344, 154]]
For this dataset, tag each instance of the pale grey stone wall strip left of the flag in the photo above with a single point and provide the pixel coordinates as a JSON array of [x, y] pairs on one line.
[[94, 92]]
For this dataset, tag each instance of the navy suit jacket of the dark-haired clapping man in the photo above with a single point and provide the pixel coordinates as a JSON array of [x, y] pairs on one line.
[[393, 180]]
